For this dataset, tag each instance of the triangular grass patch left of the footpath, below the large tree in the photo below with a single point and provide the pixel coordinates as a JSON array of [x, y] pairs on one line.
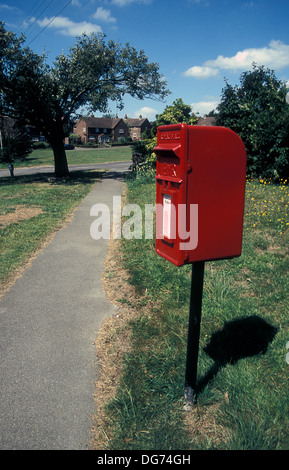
[[55, 199]]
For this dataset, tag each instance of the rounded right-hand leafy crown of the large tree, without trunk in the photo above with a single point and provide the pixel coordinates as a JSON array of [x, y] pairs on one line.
[[95, 71]]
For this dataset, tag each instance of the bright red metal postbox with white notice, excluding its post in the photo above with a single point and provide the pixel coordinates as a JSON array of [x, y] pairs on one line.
[[200, 191]]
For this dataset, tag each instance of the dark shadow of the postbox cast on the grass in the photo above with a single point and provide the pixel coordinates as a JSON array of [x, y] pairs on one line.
[[240, 338]]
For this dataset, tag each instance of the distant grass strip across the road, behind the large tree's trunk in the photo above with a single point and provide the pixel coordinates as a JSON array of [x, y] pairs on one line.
[[76, 157]]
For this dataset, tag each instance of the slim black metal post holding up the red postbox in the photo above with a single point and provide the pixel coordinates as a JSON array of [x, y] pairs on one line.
[[194, 332]]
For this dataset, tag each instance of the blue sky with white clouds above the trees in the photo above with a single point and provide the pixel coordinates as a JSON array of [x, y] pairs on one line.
[[197, 43]]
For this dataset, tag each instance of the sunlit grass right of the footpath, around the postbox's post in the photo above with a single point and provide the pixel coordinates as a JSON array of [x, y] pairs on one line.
[[242, 403]]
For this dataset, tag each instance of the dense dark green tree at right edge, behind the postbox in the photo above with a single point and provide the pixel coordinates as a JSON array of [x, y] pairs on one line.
[[257, 111]]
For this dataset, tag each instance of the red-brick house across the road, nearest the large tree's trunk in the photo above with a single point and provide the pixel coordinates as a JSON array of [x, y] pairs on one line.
[[101, 130]]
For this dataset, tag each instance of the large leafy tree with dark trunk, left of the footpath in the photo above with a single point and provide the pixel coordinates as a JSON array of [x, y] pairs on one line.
[[92, 73]]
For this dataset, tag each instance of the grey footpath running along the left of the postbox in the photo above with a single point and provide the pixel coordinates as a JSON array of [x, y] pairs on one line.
[[48, 323]]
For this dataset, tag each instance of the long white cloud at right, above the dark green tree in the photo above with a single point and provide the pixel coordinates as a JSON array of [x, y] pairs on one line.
[[275, 56]]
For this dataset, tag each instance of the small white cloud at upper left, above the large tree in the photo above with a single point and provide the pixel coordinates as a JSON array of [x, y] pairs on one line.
[[69, 28]]
